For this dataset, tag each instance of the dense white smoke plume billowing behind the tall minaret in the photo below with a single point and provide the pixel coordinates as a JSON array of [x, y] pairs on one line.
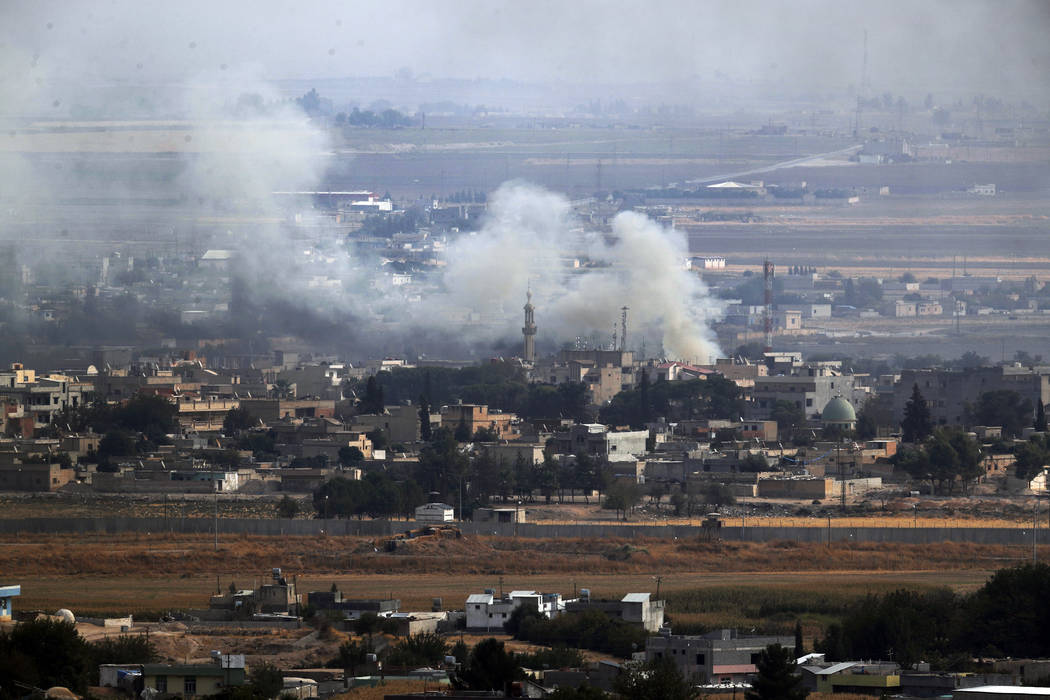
[[530, 239]]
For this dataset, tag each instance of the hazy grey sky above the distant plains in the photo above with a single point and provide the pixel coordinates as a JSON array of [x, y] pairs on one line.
[[992, 47]]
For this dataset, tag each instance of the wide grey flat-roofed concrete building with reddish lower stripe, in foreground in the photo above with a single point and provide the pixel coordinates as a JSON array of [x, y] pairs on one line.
[[717, 657]]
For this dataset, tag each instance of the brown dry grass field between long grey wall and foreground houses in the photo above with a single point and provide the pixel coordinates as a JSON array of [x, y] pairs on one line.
[[140, 575]]
